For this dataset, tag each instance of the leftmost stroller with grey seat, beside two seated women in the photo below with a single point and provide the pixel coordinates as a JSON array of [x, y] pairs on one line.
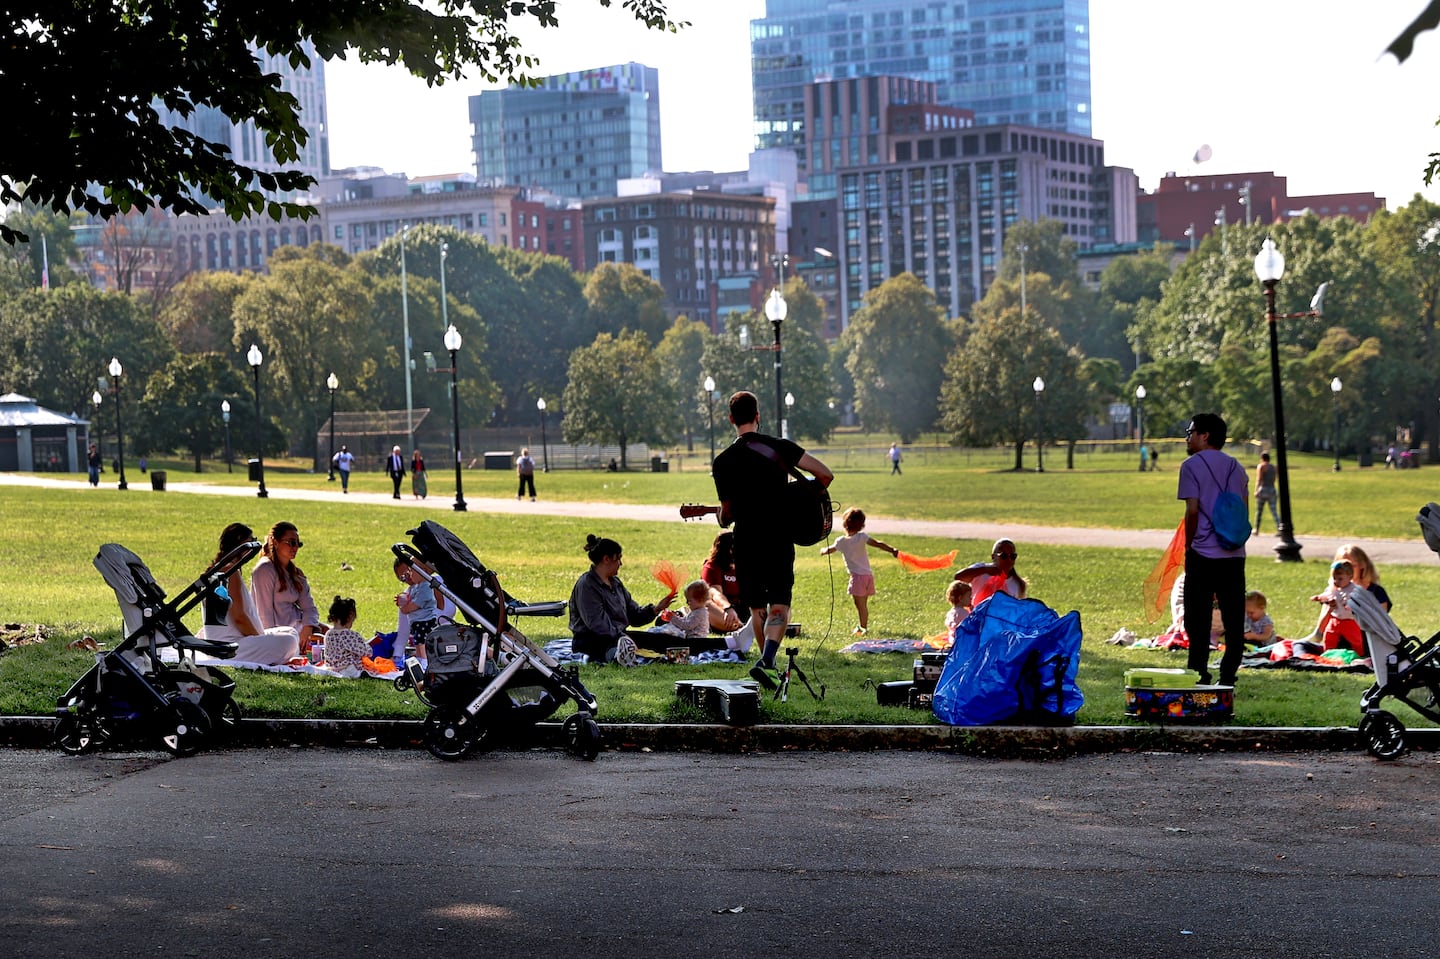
[[132, 693]]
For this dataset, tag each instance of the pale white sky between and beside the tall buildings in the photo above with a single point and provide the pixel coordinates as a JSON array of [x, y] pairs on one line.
[[1295, 87]]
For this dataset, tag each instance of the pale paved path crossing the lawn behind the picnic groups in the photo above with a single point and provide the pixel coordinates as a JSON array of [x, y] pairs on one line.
[[1317, 548]]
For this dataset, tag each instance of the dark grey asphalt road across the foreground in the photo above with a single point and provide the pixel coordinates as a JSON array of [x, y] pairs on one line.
[[351, 853]]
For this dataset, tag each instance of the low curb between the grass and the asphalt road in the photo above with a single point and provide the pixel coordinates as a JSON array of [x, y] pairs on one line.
[[978, 741]]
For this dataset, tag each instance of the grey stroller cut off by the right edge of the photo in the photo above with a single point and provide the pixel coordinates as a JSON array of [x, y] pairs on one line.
[[1405, 666]]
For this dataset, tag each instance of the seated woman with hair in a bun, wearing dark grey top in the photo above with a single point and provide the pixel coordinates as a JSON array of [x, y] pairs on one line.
[[601, 608]]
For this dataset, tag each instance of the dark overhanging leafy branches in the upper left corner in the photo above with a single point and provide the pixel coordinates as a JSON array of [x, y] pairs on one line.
[[89, 90]]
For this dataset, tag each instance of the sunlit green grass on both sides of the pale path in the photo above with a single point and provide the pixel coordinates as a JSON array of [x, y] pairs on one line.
[[51, 538]]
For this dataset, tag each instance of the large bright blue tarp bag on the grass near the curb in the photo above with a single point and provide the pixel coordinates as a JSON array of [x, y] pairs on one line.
[[1014, 660]]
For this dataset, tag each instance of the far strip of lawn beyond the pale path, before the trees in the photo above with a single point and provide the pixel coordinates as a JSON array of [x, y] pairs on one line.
[[1105, 489]]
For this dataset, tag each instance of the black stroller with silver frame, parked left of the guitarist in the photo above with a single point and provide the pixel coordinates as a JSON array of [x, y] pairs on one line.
[[474, 673]]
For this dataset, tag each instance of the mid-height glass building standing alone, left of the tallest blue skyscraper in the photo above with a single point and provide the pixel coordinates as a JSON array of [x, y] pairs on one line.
[[574, 136]]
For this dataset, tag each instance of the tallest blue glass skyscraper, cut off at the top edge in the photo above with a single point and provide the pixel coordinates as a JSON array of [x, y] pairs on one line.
[[1013, 63]]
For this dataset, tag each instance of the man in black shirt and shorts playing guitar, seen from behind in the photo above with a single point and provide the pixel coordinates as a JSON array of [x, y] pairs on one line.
[[751, 476]]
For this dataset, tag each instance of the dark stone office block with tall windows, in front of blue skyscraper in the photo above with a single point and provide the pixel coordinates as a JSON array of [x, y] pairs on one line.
[[940, 207]]
